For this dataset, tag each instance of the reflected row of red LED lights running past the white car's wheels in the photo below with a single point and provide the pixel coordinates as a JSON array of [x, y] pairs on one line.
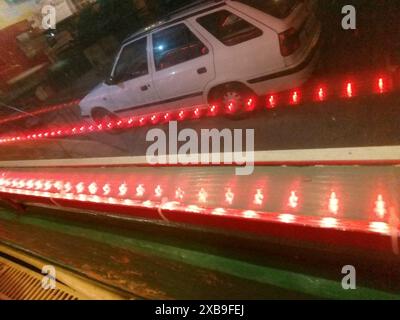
[[295, 97]]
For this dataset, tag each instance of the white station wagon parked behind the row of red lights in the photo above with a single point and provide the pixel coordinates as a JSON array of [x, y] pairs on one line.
[[216, 51]]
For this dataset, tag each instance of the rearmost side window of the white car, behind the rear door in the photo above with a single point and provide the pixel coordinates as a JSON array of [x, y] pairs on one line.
[[229, 28]]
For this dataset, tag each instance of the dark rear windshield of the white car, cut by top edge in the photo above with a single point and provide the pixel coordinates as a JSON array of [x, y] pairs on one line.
[[277, 8]]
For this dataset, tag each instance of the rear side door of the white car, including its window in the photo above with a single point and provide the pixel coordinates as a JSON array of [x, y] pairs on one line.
[[183, 64]]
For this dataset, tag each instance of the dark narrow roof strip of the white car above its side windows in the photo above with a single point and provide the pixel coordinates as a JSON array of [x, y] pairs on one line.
[[177, 15]]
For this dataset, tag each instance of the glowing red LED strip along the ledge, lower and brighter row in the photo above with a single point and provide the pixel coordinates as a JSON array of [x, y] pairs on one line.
[[127, 193]]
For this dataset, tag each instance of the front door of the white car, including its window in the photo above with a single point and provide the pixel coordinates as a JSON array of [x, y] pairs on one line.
[[132, 84]]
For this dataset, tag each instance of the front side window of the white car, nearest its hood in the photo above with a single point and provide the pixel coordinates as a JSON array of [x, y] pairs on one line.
[[132, 62]]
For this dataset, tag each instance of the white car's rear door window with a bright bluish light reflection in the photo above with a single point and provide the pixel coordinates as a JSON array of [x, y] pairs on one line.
[[176, 45]]
